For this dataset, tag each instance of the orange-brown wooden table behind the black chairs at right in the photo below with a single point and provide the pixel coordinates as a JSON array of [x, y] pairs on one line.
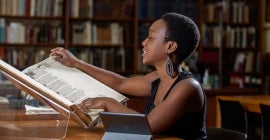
[[250, 103]]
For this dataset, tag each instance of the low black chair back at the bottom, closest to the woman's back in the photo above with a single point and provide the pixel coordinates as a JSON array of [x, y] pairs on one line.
[[214, 133]]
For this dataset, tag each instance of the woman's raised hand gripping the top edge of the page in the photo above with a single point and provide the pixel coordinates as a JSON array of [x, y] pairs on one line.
[[64, 56]]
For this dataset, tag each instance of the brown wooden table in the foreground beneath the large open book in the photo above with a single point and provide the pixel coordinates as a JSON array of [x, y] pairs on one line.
[[16, 125]]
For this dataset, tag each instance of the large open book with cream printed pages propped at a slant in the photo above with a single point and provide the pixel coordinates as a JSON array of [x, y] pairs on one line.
[[61, 87]]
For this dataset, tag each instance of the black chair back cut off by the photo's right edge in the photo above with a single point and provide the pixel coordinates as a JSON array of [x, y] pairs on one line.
[[265, 115]]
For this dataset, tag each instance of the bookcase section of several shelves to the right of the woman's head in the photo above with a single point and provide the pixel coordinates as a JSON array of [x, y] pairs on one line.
[[231, 47]]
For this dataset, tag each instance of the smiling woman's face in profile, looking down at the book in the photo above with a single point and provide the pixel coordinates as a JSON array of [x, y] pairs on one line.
[[155, 46]]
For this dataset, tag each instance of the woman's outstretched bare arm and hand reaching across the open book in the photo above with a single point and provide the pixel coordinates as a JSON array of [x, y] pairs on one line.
[[136, 86]]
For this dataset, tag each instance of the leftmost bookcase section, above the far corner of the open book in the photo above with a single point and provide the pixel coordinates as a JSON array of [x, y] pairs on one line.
[[28, 29]]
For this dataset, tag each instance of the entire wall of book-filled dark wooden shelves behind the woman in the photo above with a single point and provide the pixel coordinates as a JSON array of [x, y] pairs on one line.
[[108, 33]]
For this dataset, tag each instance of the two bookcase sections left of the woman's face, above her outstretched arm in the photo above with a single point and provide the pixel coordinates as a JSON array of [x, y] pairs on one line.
[[100, 32]]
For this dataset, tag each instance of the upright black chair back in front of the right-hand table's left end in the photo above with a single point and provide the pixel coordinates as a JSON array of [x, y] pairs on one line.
[[233, 116]]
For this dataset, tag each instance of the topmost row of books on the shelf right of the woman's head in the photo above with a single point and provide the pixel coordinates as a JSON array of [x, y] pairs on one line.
[[226, 11]]
